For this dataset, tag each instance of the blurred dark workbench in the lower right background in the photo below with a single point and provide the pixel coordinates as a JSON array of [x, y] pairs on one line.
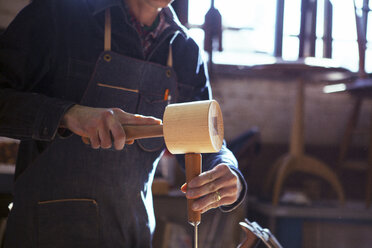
[[319, 225]]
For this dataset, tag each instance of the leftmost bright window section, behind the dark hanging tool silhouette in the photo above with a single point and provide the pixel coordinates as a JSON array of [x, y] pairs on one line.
[[248, 28]]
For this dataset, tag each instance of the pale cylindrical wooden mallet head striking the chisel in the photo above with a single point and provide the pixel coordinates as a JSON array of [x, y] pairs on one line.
[[193, 127]]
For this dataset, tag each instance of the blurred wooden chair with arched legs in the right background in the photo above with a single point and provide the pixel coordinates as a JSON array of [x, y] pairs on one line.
[[300, 72]]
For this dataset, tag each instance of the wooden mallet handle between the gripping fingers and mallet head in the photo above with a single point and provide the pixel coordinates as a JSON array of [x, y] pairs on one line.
[[134, 132]]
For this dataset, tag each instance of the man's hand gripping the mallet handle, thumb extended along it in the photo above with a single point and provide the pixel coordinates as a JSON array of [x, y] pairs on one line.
[[102, 126]]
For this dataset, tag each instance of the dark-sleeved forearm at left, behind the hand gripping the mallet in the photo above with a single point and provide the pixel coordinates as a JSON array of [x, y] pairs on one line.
[[26, 115]]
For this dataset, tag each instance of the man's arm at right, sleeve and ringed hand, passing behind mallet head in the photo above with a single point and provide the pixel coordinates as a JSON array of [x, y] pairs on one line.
[[221, 176]]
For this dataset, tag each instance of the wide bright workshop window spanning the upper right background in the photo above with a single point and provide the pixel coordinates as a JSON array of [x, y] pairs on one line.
[[255, 30]]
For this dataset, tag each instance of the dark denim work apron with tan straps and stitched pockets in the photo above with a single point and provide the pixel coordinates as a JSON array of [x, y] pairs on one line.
[[76, 196]]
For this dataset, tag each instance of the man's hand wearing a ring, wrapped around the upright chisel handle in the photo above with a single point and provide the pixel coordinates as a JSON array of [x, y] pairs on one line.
[[214, 188]]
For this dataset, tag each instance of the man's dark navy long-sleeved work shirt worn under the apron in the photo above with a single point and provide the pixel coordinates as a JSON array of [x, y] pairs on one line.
[[48, 54]]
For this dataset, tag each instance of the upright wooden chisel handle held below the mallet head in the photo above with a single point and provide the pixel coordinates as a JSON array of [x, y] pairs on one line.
[[193, 169]]
